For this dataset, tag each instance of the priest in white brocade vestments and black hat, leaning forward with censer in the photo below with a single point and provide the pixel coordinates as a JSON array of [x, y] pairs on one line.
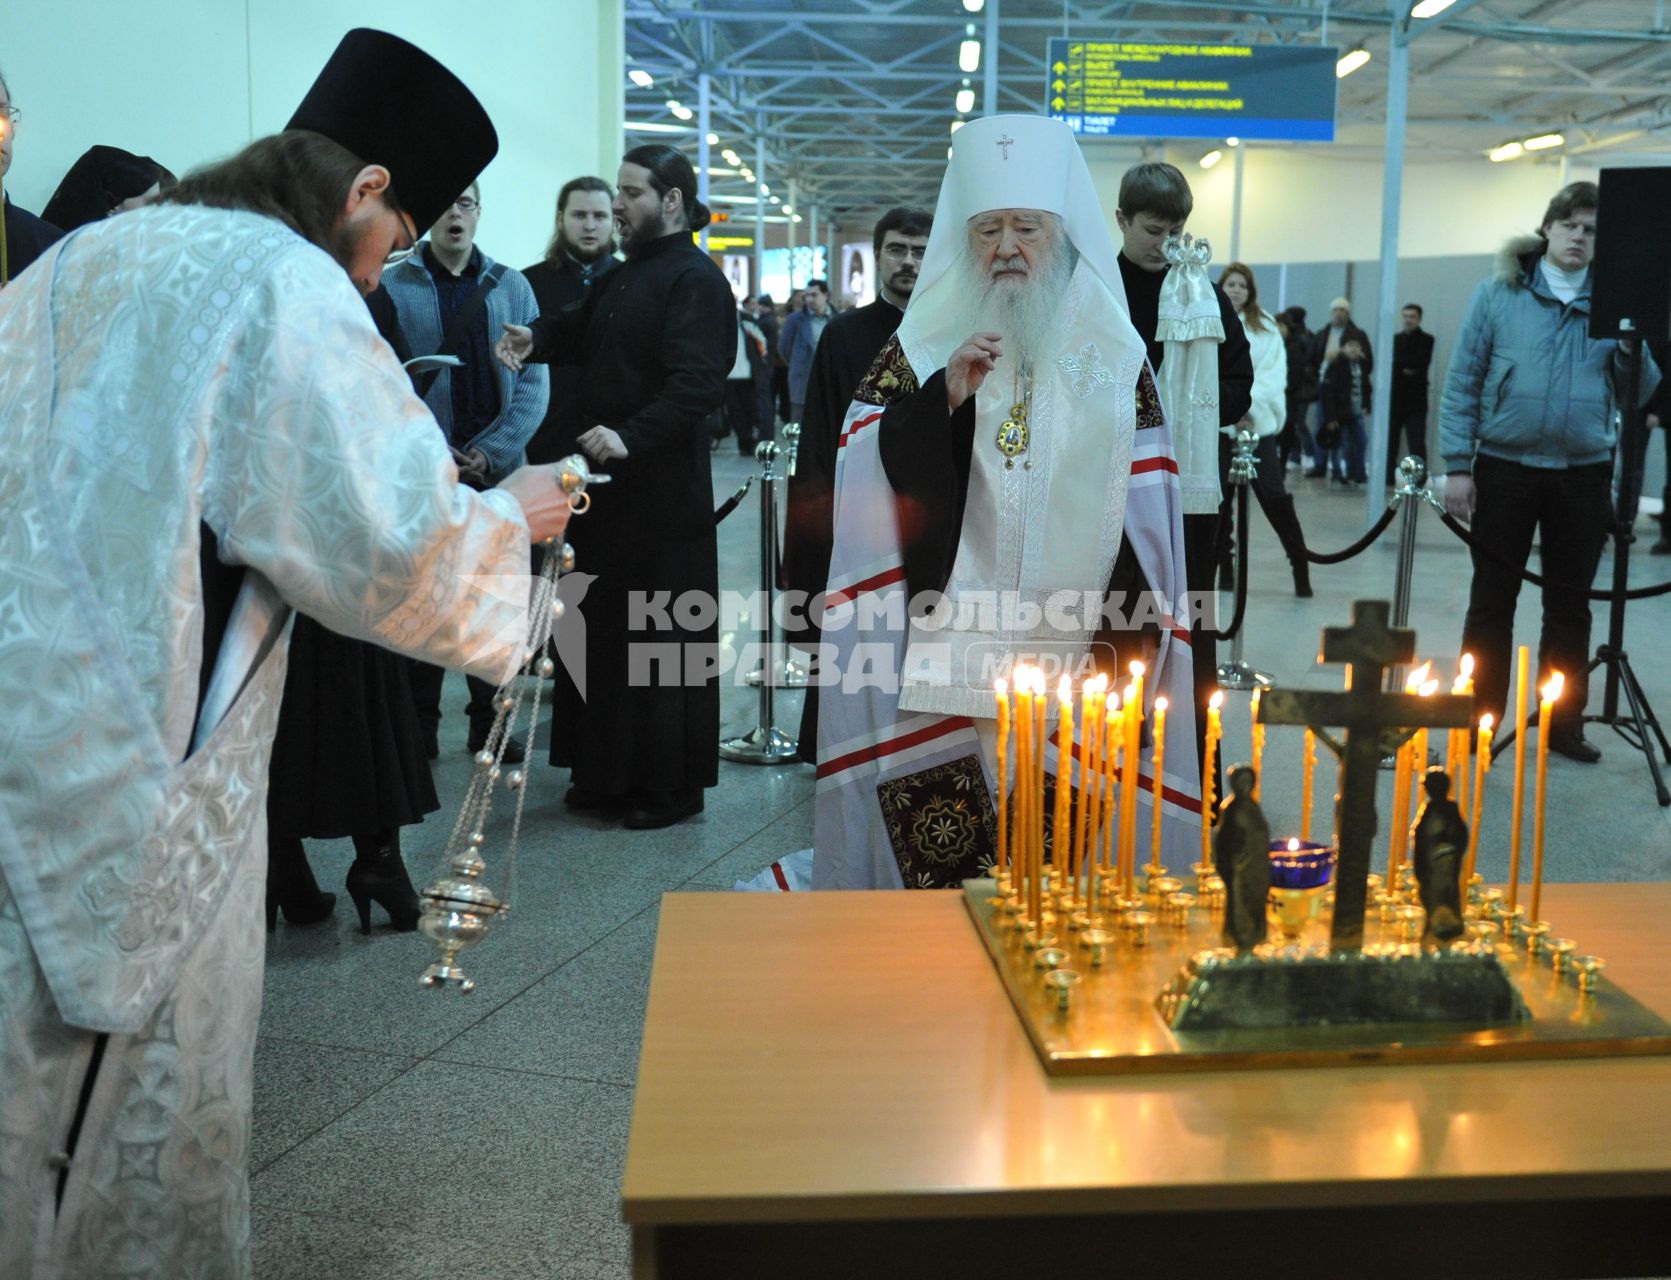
[[200, 430]]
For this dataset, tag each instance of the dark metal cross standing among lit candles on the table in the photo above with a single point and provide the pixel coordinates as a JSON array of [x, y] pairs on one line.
[[1376, 724]]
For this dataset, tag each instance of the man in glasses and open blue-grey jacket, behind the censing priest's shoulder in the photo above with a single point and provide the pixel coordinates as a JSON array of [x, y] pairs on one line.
[[454, 300]]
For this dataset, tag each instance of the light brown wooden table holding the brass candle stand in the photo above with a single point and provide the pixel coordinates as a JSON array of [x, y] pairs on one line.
[[835, 1085]]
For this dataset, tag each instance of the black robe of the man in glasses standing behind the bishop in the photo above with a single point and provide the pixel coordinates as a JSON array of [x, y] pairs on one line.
[[850, 347]]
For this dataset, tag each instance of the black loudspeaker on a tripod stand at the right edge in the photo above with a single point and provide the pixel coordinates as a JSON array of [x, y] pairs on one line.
[[1632, 275]]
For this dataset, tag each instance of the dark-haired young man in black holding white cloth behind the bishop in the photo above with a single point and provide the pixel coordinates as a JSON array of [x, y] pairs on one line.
[[1155, 203]]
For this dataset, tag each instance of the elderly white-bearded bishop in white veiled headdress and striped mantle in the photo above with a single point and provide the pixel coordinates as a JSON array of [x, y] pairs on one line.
[[1005, 492]]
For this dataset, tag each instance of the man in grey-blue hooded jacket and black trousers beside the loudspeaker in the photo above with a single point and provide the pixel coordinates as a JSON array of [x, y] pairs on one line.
[[1526, 435]]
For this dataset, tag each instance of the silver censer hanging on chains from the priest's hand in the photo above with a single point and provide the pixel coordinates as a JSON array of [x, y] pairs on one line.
[[459, 908]]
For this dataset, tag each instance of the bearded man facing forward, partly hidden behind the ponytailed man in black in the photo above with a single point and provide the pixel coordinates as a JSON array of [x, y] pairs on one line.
[[581, 255]]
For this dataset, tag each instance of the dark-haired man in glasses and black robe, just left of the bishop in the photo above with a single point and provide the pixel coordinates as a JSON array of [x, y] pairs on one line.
[[846, 353]]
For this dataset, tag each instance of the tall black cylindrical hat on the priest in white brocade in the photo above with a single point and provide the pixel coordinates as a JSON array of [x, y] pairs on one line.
[[392, 104]]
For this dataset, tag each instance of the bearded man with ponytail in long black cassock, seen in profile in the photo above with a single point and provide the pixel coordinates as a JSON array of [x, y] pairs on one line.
[[656, 342]]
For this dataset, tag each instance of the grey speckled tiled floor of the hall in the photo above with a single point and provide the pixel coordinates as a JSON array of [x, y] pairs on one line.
[[412, 1134]]
